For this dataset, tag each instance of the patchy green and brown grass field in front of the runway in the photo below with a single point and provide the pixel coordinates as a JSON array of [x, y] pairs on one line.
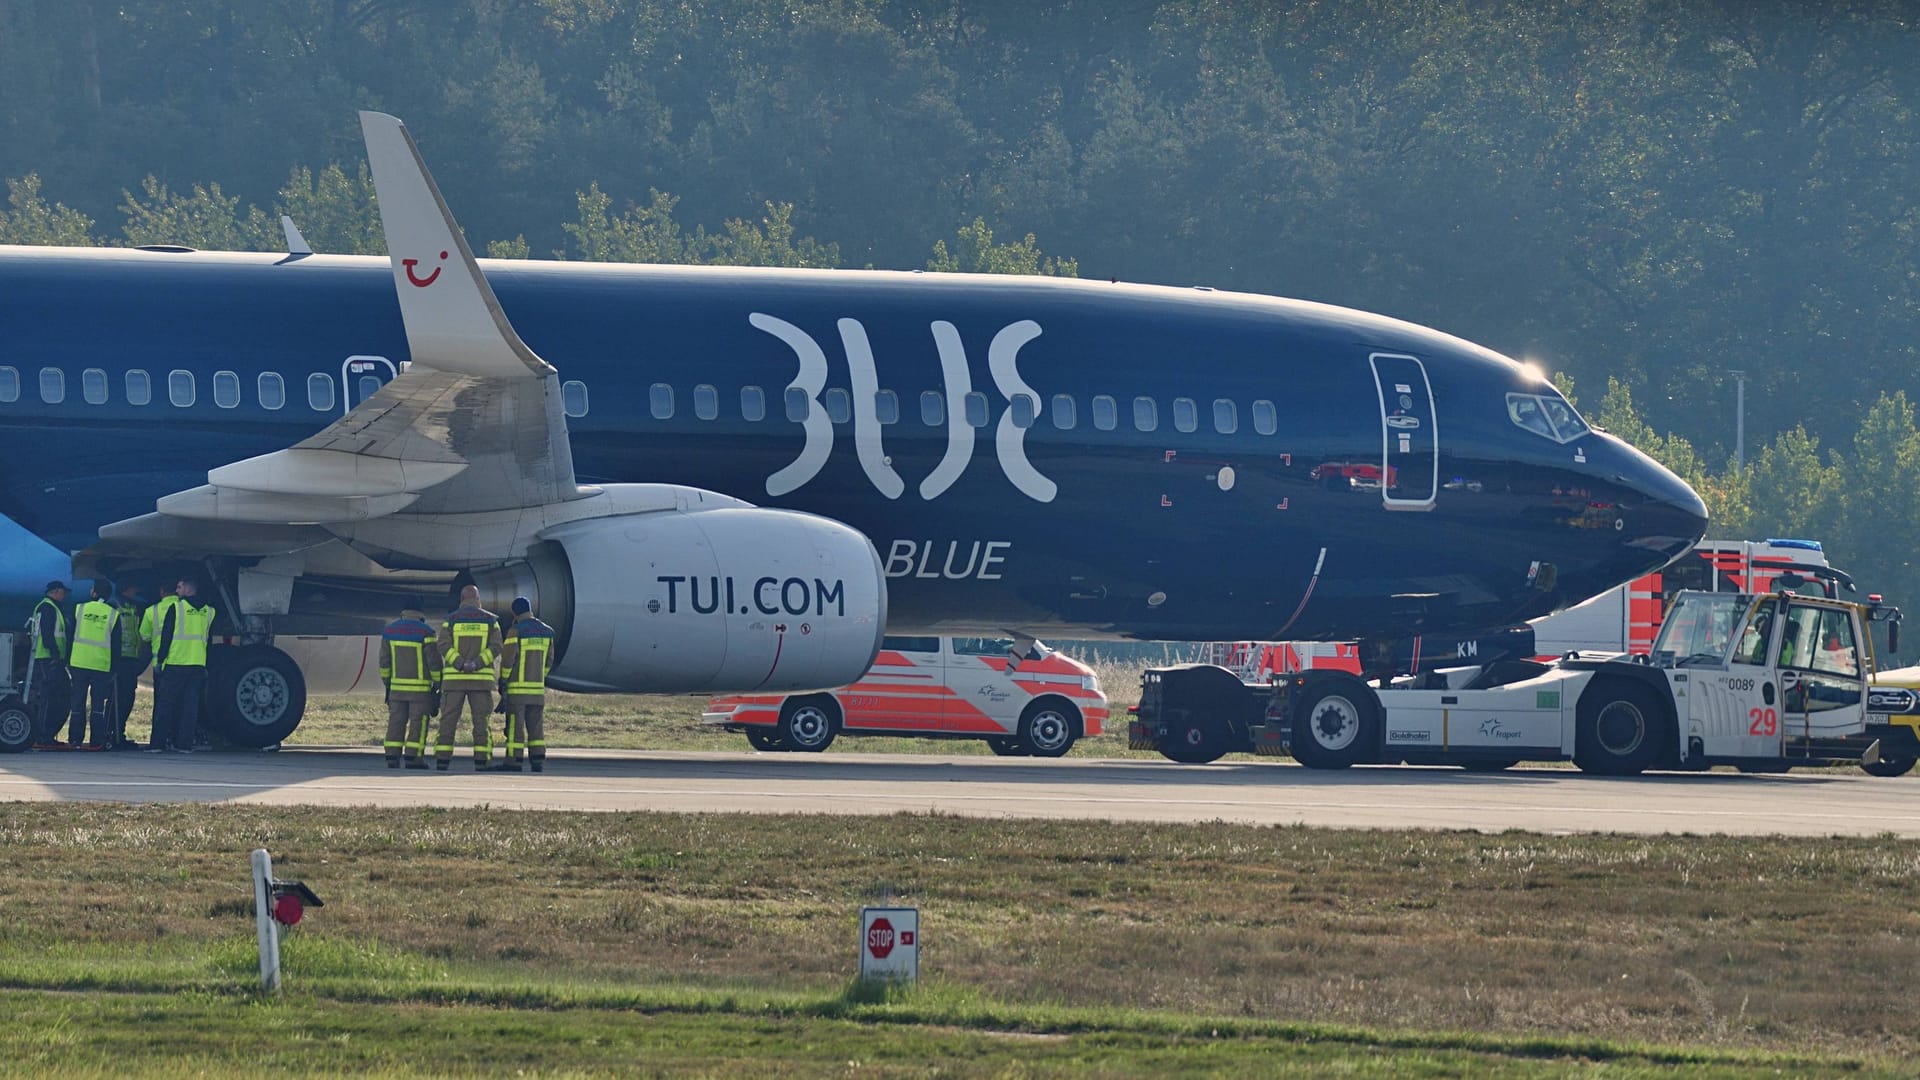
[[460, 941]]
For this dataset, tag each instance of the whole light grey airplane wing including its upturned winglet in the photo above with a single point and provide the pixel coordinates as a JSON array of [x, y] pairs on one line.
[[475, 422]]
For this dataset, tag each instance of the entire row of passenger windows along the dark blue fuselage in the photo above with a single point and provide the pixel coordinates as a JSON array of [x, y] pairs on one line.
[[798, 405]]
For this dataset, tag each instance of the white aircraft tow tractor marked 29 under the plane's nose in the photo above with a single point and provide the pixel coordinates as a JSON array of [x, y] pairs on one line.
[[1758, 681]]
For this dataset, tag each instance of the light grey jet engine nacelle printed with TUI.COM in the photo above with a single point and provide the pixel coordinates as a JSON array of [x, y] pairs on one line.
[[704, 602]]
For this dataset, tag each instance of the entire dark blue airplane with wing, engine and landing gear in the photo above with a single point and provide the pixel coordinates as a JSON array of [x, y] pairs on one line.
[[721, 479]]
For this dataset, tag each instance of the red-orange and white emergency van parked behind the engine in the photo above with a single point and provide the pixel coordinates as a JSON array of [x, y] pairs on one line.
[[1019, 695]]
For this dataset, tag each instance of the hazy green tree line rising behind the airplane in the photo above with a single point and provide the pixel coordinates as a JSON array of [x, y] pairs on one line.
[[1641, 195]]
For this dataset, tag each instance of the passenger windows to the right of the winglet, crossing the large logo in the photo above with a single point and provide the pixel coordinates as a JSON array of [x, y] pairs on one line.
[[974, 408]]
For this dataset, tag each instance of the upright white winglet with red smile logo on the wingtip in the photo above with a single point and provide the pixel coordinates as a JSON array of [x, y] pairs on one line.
[[454, 320]]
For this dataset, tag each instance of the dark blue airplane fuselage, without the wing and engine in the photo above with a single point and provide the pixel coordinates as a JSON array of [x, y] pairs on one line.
[[1282, 437]]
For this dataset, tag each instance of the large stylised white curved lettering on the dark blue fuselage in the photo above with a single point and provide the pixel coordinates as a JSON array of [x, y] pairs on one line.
[[1009, 441]]
